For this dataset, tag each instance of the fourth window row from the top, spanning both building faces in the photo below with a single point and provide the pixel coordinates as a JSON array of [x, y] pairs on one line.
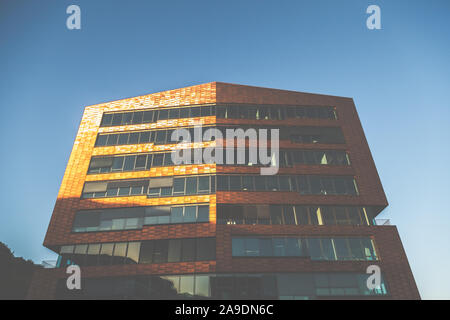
[[177, 186]]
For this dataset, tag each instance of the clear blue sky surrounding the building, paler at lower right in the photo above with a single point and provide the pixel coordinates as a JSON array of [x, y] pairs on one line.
[[399, 78]]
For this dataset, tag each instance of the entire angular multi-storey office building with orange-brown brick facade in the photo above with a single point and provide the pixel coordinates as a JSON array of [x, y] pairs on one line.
[[141, 227]]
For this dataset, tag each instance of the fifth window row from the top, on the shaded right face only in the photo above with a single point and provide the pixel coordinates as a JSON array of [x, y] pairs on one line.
[[292, 215]]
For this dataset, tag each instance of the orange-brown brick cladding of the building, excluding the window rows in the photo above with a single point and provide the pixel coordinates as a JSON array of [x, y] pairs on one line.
[[393, 260]]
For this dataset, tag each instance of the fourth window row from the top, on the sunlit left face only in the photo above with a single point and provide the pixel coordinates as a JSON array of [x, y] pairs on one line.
[[155, 187]]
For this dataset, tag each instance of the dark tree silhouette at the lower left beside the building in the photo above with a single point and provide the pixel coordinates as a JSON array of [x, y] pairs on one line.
[[15, 274]]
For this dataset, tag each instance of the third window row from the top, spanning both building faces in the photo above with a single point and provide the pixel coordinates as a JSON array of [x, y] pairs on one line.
[[138, 162]]
